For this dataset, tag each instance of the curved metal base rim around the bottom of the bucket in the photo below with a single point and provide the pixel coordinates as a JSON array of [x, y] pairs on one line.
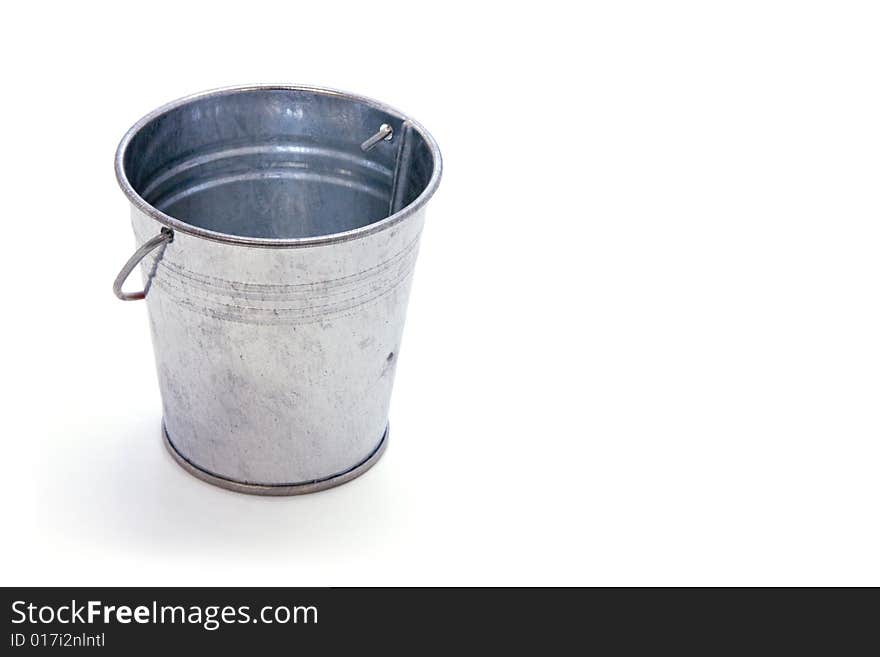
[[276, 489]]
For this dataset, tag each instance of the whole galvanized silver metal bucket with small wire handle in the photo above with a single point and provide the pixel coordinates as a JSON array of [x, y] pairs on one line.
[[278, 227]]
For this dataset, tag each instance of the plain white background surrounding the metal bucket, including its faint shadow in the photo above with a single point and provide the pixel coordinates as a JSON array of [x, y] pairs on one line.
[[643, 345]]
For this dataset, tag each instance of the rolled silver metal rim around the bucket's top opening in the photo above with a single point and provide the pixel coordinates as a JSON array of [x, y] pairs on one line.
[[330, 238]]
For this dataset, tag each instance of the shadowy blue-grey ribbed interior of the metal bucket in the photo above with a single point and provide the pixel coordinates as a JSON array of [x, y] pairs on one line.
[[277, 163]]
